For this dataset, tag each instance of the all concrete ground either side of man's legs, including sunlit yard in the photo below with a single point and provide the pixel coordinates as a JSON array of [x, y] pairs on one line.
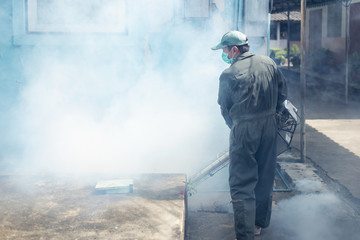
[[325, 200]]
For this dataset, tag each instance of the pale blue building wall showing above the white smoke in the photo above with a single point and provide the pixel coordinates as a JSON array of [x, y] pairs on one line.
[[17, 46]]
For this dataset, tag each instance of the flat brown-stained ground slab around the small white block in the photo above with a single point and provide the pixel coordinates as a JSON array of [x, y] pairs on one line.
[[51, 208]]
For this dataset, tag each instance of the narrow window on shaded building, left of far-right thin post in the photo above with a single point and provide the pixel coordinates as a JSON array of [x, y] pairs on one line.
[[334, 20]]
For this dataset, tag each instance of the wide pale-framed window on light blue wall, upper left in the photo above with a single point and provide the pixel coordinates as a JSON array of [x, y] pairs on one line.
[[76, 16]]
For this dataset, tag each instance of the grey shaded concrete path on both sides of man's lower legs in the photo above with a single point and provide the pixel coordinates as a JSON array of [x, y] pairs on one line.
[[314, 209]]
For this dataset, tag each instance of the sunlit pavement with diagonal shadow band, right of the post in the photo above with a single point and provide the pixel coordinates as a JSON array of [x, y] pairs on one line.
[[334, 144]]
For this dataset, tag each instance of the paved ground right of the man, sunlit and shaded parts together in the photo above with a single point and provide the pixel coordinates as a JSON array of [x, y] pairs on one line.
[[333, 152]]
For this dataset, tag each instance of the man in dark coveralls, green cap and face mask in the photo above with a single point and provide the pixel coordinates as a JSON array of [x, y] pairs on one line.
[[251, 92]]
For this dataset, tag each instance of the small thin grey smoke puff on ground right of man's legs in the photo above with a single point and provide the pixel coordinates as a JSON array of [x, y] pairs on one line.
[[314, 214]]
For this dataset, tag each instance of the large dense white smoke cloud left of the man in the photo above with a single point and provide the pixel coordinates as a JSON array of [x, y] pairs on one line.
[[101, 106]]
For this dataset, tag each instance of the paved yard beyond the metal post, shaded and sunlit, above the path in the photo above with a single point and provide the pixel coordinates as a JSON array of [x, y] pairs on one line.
[[332, 132]]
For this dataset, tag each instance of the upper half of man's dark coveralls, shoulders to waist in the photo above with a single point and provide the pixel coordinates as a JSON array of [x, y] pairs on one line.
[[251, 86]]
